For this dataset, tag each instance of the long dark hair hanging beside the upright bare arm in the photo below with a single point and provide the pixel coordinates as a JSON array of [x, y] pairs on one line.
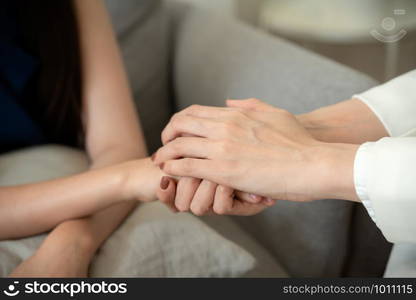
[[50, 31]]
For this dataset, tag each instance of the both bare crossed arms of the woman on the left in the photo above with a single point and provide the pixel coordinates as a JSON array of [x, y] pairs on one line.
[[83, 210]]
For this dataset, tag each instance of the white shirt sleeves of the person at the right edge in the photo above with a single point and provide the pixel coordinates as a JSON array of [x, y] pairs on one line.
[[384, 171]]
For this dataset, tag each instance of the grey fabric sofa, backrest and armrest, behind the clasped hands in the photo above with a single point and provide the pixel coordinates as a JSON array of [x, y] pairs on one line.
[[177, 55]]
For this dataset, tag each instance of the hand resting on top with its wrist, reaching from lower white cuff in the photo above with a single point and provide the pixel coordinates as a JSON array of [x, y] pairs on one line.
[[256, 148]]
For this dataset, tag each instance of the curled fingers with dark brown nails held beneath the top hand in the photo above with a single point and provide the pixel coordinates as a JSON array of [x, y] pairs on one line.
[[203, 197]]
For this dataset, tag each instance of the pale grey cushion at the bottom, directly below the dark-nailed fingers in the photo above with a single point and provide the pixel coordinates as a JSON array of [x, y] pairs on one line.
[[154, 242]]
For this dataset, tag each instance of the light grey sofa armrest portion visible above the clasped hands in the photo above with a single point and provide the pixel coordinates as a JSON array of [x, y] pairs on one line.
[[216, 58]]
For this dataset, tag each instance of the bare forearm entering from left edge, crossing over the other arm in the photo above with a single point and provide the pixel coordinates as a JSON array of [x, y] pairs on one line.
[[34, 208]]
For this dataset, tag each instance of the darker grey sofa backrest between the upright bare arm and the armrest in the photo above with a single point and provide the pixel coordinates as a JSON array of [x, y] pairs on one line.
[[142, 31]]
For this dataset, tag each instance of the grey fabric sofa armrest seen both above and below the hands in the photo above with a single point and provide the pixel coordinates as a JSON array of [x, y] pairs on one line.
[[218, 58]]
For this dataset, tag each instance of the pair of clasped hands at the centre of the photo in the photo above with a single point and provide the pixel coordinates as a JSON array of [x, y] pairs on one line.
[[240, 159]]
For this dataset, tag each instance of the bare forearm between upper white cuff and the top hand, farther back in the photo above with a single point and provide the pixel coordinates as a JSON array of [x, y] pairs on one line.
[[346, 122]]
